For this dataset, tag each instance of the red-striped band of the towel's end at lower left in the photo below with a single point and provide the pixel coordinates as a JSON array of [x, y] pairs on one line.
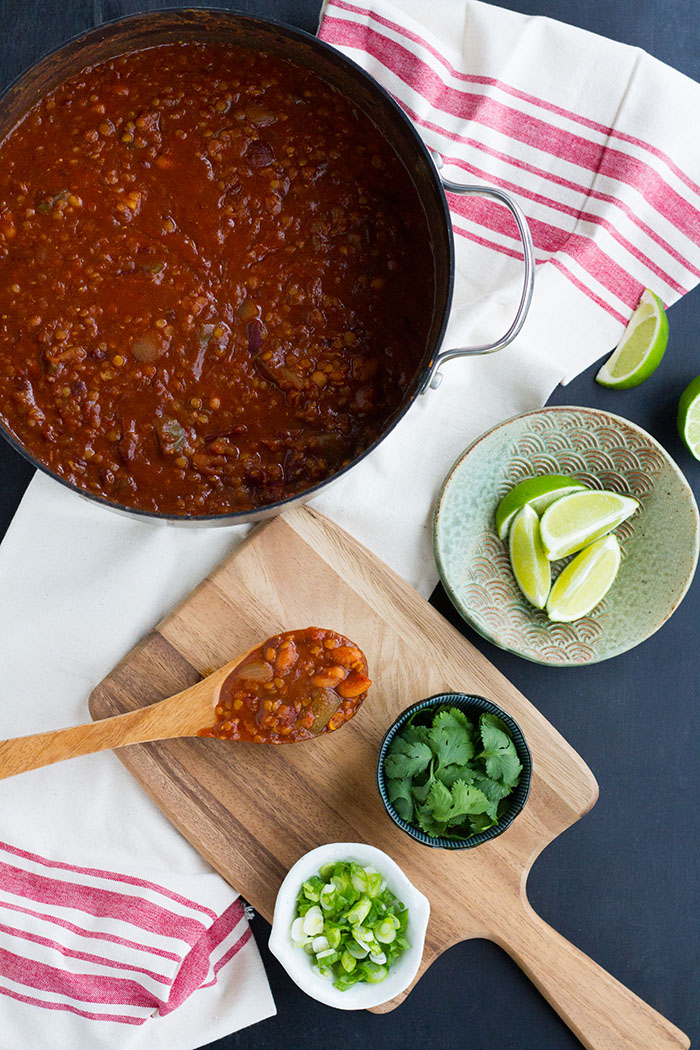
[[103, 946]]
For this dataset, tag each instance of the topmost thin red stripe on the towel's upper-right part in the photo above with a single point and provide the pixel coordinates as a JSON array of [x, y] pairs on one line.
[[517, 93]]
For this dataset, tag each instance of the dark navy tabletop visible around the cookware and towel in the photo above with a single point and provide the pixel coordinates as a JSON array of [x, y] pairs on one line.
[[623, 884]]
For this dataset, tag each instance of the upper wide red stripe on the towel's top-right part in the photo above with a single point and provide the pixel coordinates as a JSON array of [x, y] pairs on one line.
[[533, 132]]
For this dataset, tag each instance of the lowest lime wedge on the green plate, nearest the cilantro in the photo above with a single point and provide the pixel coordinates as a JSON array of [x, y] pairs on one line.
[[585, 581]]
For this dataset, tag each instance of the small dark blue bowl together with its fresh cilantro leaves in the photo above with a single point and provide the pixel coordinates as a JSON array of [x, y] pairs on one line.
[[454, 771]]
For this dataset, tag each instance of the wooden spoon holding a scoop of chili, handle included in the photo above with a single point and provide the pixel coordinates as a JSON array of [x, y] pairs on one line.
[[293, 687]]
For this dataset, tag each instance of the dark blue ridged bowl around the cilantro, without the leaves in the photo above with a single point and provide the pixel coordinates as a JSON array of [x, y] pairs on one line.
[[473, 706]]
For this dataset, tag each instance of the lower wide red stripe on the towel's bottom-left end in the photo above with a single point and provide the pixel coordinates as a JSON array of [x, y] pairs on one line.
[[83, 988]]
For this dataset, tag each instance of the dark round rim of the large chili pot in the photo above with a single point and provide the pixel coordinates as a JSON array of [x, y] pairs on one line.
[[423, 371]]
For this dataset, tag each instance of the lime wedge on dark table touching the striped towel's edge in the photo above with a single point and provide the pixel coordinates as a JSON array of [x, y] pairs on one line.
[[642, 347]]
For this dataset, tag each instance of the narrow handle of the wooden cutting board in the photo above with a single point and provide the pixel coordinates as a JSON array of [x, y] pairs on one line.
[[600, 1011]]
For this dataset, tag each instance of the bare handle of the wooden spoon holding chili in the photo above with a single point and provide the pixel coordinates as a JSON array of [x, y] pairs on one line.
[[156, 723]]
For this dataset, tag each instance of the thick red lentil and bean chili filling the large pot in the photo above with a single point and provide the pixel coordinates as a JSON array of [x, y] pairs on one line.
[[216, 280]]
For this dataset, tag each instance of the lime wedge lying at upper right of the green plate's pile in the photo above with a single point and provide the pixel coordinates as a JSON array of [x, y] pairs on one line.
[[574, 522]]
